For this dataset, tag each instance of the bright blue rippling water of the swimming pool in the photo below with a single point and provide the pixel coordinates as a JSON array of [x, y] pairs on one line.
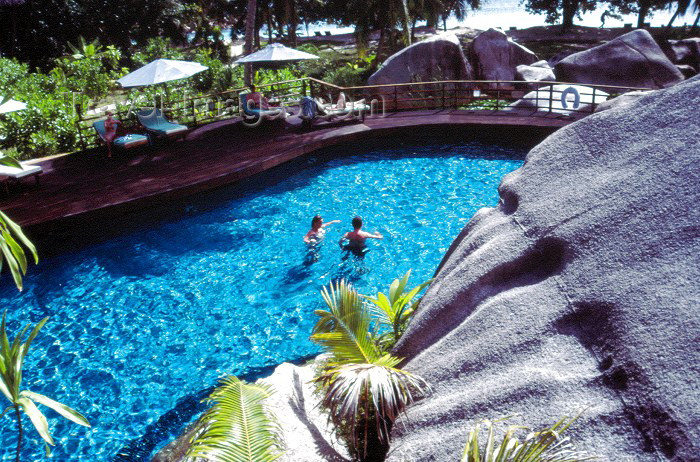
[[223, 283]]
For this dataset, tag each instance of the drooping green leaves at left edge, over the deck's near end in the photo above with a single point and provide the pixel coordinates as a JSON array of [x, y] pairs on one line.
[[10, 233]]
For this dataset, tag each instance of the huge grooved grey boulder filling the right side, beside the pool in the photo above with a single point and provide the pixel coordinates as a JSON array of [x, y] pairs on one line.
[[579, 289]]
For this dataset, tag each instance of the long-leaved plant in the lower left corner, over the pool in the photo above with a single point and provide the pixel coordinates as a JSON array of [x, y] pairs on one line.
[[11, 361]]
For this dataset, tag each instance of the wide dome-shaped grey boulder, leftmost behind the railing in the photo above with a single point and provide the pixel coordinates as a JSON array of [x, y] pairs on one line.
[[437, 58]]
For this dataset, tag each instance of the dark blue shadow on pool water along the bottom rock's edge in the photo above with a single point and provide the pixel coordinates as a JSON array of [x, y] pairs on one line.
[[171, 424]]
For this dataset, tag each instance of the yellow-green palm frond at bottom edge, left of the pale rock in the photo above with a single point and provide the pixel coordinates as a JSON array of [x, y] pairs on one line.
[[238, 427]]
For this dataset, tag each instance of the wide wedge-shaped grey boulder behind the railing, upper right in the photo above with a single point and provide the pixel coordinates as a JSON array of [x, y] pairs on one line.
[[631, 60]]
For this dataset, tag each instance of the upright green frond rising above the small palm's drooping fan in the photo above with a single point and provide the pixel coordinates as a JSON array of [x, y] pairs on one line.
[[344, 331]]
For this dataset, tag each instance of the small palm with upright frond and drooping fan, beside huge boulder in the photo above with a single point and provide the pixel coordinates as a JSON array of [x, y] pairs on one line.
[[362, 386]]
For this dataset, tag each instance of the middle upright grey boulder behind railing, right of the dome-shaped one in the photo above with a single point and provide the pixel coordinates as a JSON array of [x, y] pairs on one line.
[[495, 56]]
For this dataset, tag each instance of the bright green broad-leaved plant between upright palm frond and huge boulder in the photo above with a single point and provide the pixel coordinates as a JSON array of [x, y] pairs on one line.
[[394, 312]]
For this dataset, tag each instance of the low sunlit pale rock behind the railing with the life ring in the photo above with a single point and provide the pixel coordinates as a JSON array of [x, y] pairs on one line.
[[539, 100]]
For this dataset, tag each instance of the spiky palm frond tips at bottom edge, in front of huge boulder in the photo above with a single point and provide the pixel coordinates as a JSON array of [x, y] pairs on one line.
[[542, 446]]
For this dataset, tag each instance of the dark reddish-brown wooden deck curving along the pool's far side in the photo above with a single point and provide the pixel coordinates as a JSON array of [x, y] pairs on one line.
[[89, 185]]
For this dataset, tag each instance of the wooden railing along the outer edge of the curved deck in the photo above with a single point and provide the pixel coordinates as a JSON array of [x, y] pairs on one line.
[[479, 96]]
